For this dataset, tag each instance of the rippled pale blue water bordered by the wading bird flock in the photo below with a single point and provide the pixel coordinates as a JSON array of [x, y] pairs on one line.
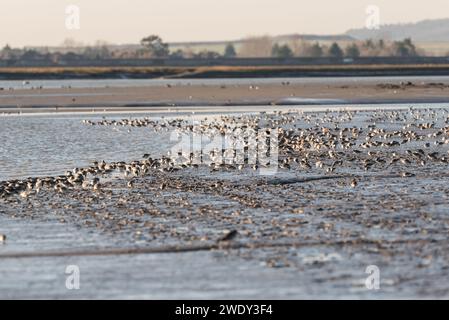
[[50, 144]]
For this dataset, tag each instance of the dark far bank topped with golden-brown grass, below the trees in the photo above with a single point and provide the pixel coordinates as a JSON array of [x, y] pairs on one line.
[[215, 72]]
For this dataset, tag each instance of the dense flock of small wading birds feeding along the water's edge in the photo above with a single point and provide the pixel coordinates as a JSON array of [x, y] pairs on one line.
[[308, 143]]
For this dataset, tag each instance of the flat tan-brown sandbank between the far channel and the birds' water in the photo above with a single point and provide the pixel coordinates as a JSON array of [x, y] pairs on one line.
[[282, 92]]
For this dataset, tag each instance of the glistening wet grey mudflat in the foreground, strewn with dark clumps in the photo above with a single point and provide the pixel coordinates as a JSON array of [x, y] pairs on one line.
[[369, 187]]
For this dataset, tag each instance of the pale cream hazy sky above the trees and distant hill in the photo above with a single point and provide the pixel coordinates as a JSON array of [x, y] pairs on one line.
[[43, 22]]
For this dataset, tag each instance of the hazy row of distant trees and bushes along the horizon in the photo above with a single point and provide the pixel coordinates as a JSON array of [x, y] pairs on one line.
[[154, 47]]
